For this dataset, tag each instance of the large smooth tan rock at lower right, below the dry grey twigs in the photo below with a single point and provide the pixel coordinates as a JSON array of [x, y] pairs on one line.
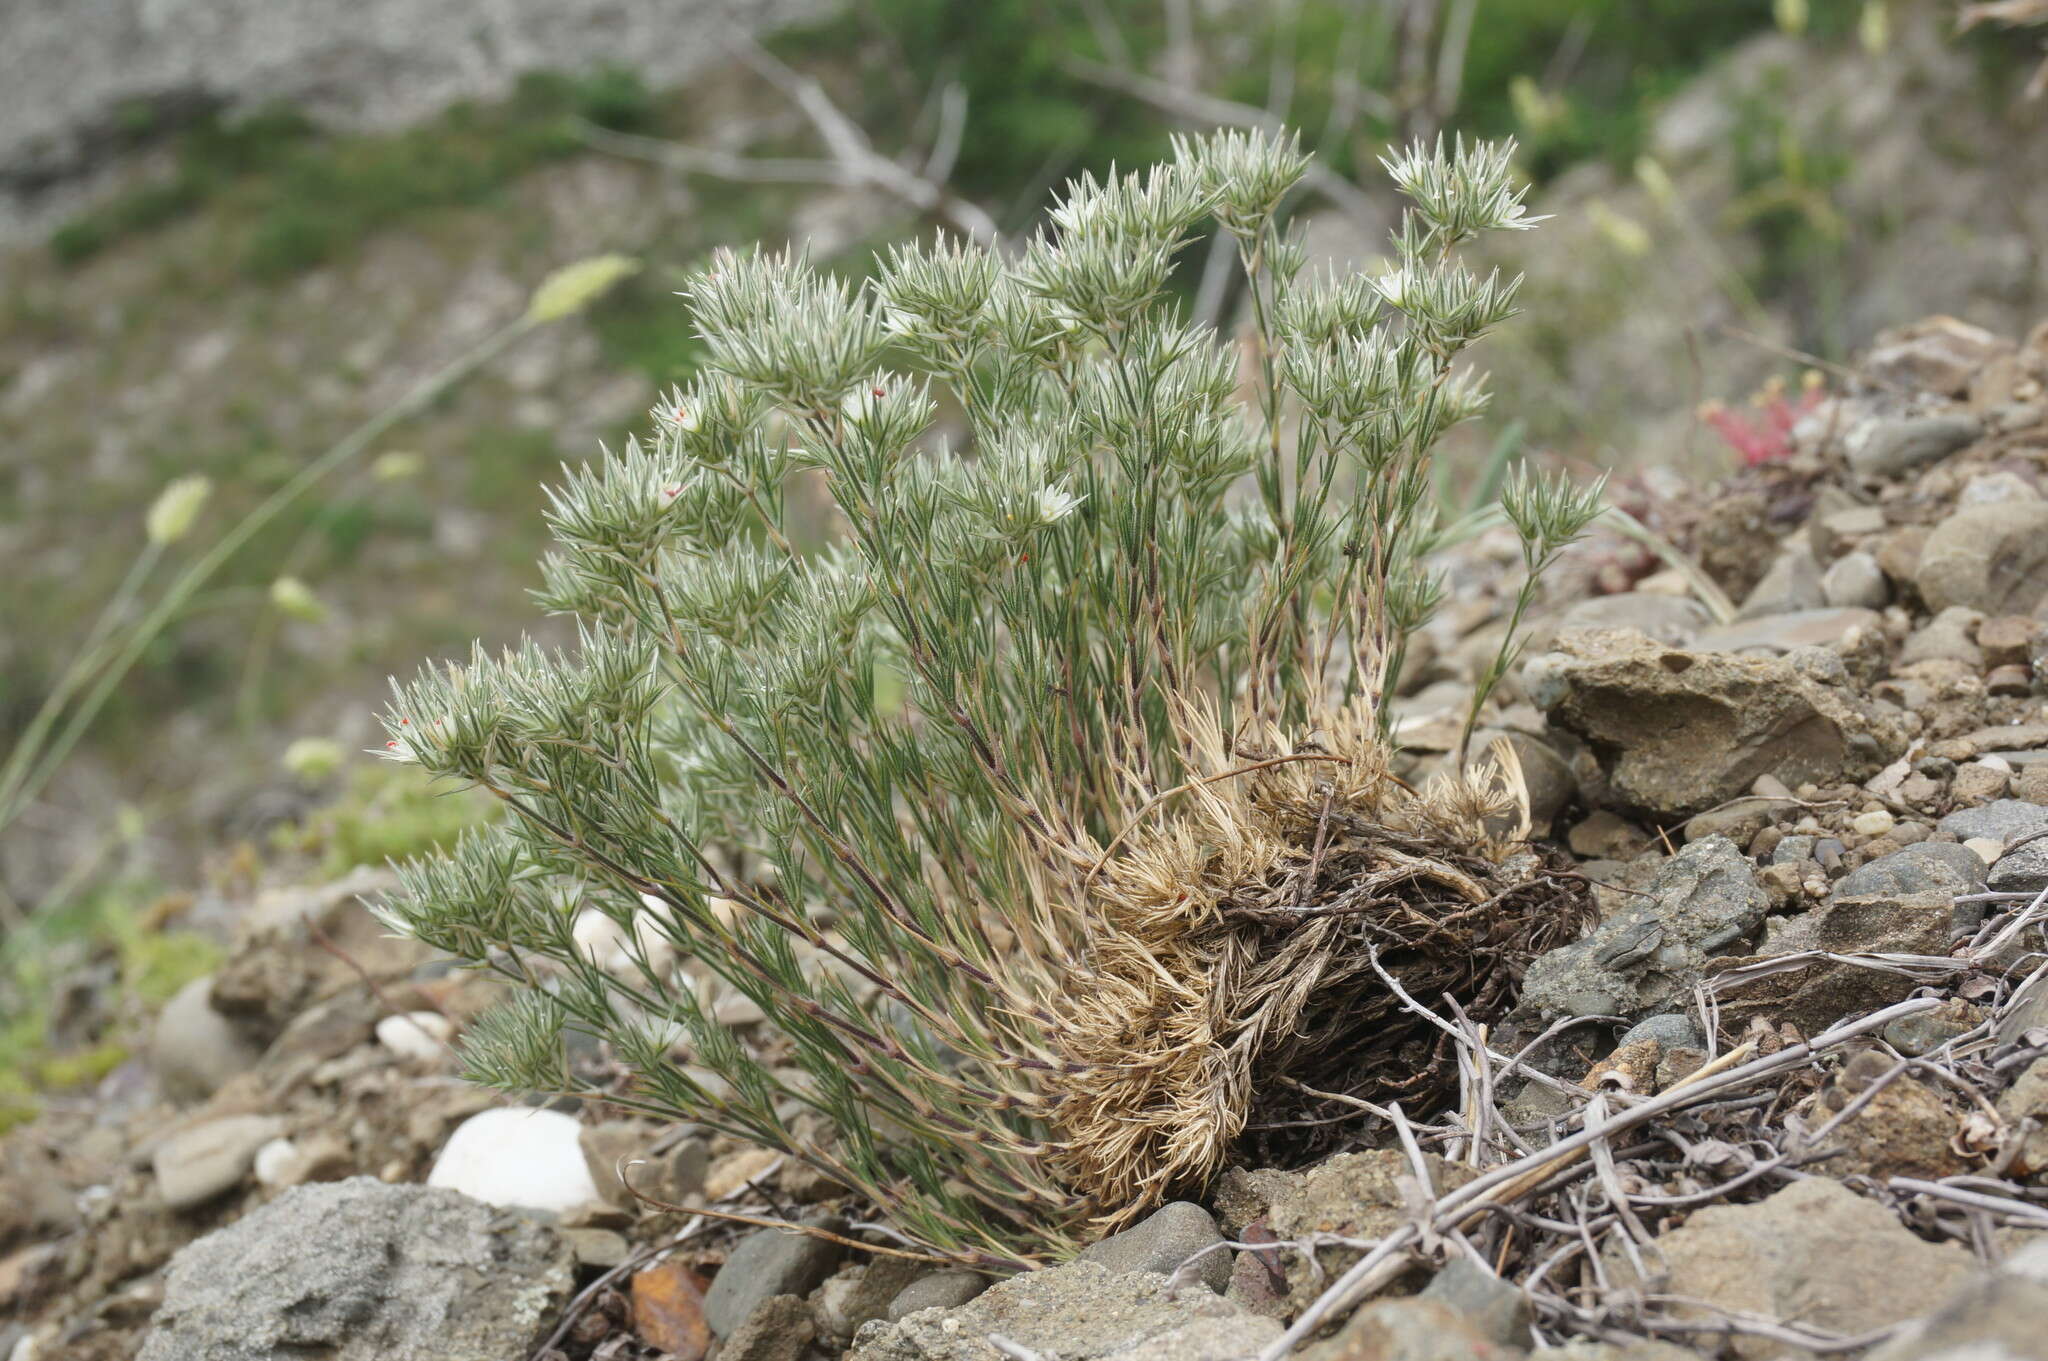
[[1816, 1252]]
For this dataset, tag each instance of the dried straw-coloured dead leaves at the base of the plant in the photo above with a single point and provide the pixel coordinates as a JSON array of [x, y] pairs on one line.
[[1236, 957]]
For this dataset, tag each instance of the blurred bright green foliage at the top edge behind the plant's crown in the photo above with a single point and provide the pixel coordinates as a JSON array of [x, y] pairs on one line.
[[1035, 118]]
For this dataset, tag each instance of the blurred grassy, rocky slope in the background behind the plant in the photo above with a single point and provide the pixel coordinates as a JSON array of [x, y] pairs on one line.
[[232, 230]]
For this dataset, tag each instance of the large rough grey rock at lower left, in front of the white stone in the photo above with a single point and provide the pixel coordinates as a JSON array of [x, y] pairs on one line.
[[364, 1272]]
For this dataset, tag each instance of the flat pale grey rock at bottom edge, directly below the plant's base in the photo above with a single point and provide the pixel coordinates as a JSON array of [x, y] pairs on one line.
[[1076, 1313]]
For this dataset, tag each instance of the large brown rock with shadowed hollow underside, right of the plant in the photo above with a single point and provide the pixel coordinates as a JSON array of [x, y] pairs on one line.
[[1678, 734]]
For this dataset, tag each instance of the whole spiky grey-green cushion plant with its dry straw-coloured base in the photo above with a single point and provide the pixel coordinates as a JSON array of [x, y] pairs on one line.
[[1041, 801]]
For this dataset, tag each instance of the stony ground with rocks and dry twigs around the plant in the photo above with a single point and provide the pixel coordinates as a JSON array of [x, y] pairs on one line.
[[1789, 1098]]
